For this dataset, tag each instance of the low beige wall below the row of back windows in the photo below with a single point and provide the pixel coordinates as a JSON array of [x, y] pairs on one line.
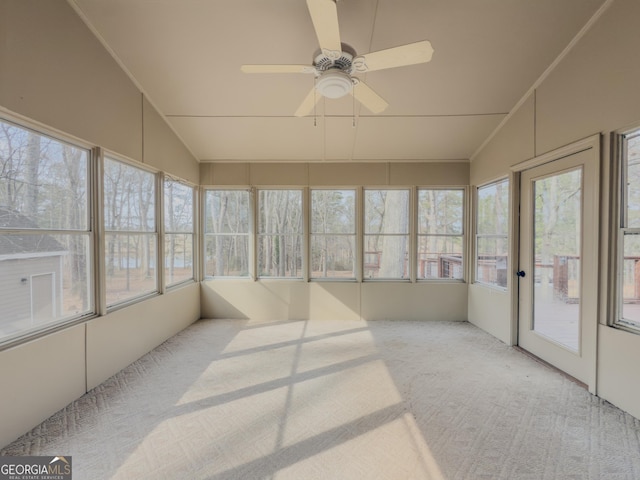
[[272, 300]]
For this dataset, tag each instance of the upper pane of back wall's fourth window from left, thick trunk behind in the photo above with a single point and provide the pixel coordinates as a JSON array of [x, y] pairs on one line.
[[386, 212]]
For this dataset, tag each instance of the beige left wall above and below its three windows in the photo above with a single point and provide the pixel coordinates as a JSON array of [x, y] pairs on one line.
[[54, 72]]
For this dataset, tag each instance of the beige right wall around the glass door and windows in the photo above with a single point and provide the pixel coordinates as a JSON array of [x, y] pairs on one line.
[[595, 89]]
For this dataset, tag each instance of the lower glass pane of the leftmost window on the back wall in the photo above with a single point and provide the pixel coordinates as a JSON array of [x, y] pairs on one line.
[[226, 255]]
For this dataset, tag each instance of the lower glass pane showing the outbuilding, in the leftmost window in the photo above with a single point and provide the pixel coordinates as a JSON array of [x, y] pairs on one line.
[[43, 279]]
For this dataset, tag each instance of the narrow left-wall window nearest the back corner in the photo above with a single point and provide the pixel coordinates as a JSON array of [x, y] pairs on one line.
[[178, 231]]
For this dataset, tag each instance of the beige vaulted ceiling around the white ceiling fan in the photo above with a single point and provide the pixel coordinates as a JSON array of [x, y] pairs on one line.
[[185, 55]]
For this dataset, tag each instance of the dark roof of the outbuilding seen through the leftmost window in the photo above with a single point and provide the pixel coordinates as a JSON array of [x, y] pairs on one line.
[[23, 243]]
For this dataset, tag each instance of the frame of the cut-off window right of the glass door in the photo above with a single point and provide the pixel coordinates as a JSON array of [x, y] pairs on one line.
[[621, 229]]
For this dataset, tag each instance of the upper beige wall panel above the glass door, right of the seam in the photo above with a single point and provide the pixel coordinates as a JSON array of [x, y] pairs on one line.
[[595, 88]]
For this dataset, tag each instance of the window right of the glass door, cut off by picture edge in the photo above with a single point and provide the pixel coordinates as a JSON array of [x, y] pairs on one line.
[[629, 234]]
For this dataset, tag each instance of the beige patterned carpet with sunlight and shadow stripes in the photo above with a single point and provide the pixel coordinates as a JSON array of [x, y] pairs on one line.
[[339, 400]]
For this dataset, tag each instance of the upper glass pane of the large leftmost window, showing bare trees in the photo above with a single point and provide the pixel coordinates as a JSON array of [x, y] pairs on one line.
[[43, 182]]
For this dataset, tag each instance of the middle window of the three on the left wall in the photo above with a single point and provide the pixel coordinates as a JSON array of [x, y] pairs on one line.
[[130, 232]]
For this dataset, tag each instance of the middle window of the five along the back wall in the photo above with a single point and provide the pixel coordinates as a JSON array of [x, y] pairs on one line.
[[333, 233]]
